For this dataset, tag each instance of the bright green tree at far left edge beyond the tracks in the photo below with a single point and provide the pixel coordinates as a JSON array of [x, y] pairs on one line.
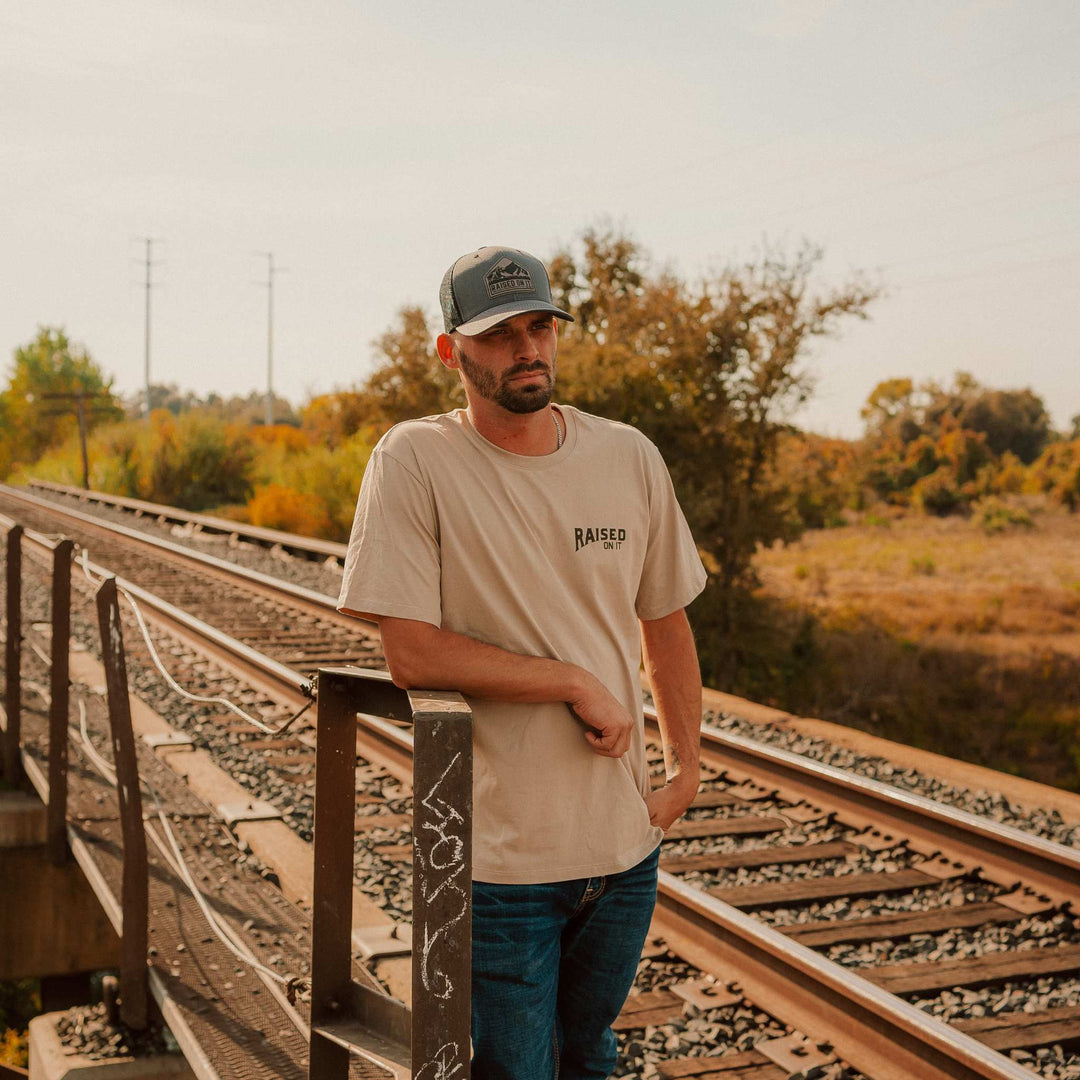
[[32, 422]]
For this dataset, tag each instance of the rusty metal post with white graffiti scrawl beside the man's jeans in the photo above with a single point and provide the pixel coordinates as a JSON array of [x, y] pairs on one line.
[[442, 884]]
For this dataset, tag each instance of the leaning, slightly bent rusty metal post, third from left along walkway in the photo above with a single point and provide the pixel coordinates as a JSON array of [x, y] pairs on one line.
[[136, 889]]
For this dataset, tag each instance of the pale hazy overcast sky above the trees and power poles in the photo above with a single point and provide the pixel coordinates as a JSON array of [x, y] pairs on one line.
[[935, 145]]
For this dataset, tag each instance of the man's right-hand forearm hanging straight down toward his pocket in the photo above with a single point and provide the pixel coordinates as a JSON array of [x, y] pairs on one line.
[[671, 665]]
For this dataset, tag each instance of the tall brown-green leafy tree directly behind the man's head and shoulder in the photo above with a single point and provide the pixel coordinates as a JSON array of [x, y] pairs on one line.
[[711, 372]]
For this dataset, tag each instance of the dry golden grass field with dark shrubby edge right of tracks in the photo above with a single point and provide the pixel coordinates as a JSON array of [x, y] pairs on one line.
[[940, 633]]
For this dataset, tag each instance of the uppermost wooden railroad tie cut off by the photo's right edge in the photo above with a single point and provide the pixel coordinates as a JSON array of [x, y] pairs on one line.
[[978, 971]]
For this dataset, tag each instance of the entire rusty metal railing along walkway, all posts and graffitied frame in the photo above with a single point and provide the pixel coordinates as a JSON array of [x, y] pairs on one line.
[[428, 1041]]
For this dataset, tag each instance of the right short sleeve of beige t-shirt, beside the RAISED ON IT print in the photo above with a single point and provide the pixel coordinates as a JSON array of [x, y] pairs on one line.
[[672, 575]]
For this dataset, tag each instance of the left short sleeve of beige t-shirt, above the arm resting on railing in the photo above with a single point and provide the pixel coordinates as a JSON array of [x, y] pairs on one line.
[[393, 565]]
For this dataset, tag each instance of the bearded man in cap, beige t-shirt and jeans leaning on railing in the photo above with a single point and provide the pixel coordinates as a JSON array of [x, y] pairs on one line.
[[523, 553]]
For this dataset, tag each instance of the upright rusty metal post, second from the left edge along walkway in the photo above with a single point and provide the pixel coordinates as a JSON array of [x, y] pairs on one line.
[[59, 691]]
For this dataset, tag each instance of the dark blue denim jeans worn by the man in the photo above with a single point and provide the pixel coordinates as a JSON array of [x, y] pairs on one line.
[[552, 965]]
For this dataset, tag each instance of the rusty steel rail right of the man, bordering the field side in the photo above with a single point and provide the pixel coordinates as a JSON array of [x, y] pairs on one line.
[[1002, 852]]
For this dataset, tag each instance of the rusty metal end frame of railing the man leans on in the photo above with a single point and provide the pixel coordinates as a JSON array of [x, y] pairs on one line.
[[345, 1015]]
